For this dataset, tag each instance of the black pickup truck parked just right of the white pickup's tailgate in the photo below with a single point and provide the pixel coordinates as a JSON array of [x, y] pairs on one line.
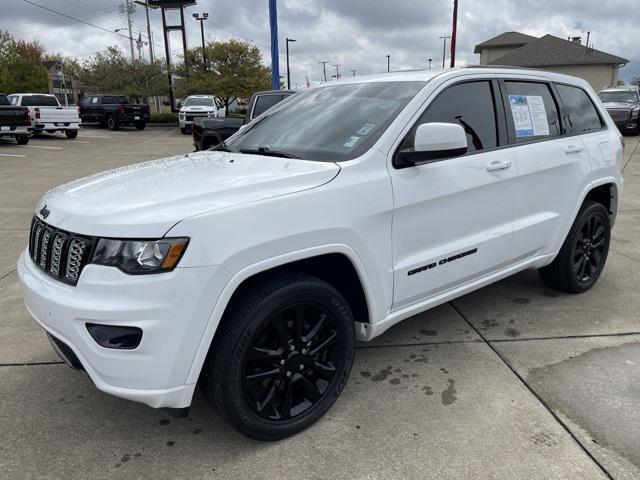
[[113, 111]]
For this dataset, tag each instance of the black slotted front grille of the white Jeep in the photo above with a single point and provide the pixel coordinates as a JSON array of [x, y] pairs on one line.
[[58, 253]]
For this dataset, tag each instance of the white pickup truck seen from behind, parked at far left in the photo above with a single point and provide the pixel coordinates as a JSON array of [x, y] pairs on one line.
[[47, 113]]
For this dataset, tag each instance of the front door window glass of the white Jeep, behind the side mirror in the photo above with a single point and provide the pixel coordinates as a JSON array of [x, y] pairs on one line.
[[470, 105]]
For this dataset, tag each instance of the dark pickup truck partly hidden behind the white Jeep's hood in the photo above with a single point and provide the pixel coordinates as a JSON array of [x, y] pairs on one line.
[[208, 132]]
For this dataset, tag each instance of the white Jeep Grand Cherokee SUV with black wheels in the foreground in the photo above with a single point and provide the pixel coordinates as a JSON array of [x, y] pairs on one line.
[[347, 208]]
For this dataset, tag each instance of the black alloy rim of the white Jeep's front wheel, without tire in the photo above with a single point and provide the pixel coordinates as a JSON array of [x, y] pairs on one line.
[[292, 362]]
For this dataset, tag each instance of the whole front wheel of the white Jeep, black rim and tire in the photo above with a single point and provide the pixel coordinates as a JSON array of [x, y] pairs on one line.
[[282, 358]]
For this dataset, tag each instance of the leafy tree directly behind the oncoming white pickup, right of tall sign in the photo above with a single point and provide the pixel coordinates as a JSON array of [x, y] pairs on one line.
[[234, 69]]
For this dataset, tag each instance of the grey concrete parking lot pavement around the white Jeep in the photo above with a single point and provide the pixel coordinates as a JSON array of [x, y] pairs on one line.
[[511, 382]]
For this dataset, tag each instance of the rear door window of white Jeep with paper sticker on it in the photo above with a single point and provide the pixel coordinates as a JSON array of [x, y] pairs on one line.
[[533, 111]]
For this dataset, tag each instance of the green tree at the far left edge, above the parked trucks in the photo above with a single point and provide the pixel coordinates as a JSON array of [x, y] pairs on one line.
[[21, 68]]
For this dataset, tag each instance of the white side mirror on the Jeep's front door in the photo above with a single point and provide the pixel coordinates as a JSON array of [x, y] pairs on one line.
[[435, 141]]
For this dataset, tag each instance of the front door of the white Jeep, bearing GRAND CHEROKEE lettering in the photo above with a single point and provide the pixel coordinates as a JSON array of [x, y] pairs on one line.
[[452, 218]]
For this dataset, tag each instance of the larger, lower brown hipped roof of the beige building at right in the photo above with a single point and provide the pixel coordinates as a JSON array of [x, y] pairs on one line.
[[549, 50]]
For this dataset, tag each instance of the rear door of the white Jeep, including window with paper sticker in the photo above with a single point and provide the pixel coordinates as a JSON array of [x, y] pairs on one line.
[[551, 164]]
